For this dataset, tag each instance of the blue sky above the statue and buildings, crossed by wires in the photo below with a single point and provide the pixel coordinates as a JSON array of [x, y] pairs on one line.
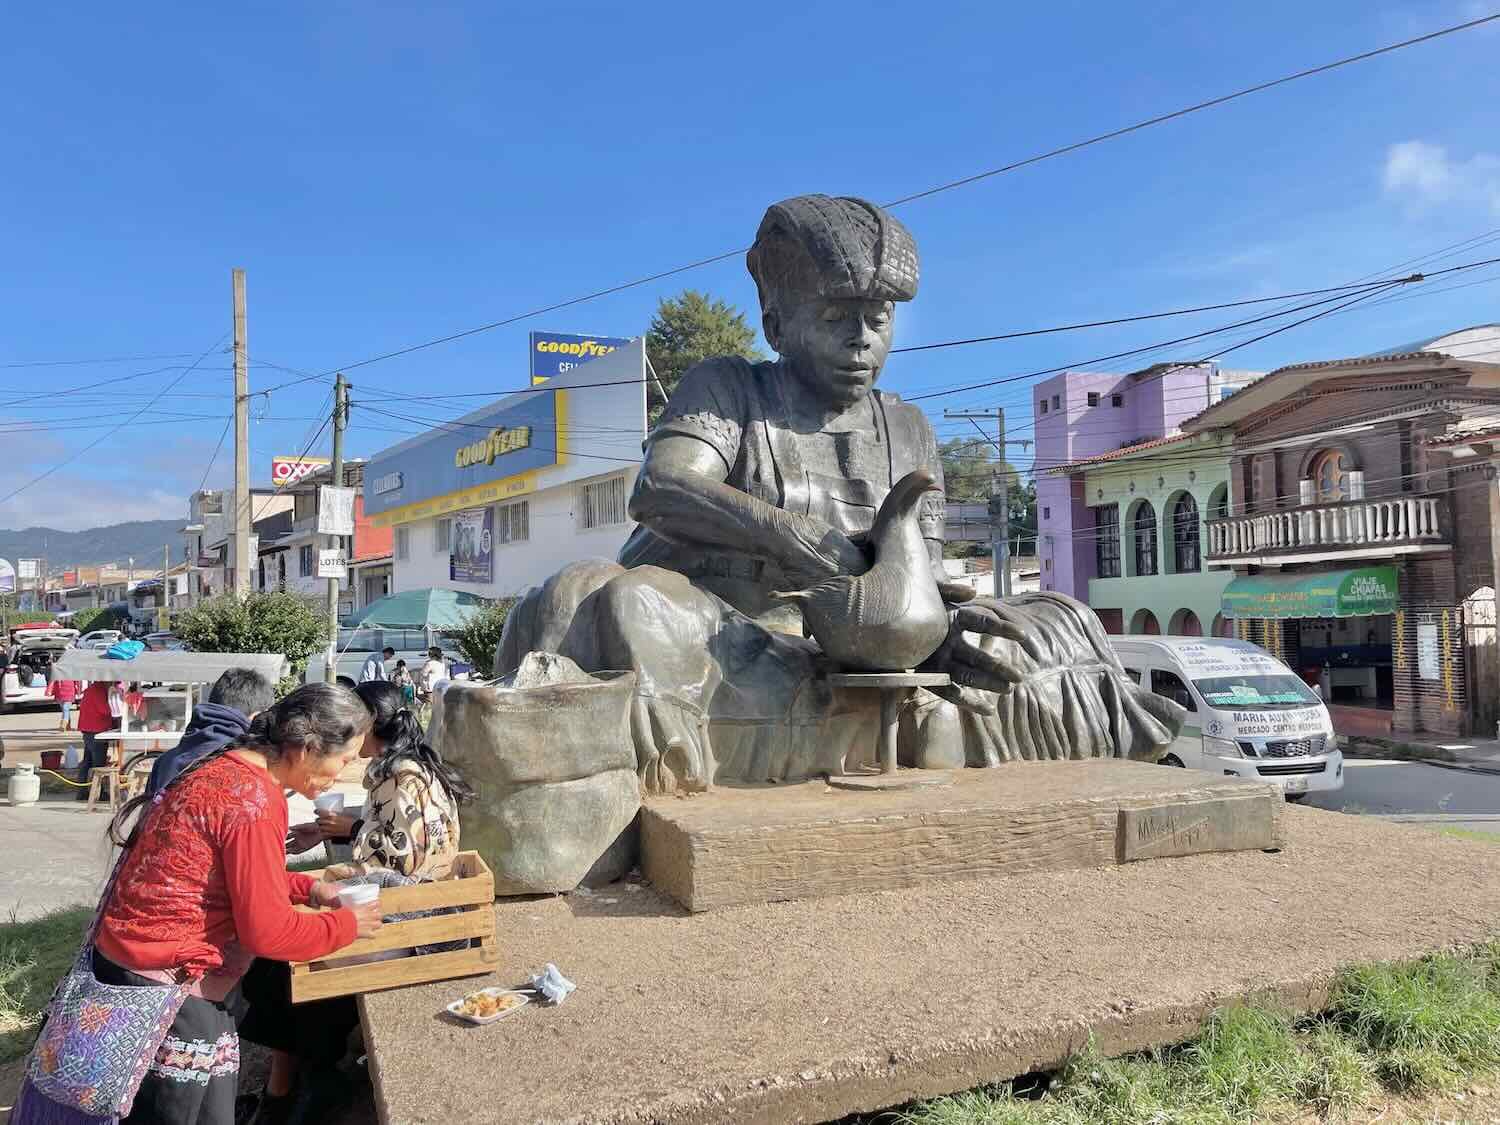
[[391, 173]]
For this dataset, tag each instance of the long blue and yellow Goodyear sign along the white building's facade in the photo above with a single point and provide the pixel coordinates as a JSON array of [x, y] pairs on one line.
[[485, 458]]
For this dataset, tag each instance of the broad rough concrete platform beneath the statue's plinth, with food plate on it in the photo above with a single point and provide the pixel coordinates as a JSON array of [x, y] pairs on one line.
[[808, 1012]]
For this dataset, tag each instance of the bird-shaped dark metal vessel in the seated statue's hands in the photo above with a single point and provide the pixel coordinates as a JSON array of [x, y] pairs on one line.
[[892, 617]]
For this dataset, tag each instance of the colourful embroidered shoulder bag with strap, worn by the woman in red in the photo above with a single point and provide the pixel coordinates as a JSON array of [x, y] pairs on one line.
[[98, 1040]]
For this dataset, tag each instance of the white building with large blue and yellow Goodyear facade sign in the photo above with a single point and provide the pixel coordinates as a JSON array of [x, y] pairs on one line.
[[500, 500]]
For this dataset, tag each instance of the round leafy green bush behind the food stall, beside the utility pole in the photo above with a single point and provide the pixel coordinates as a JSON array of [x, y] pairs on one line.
[[293, 626]]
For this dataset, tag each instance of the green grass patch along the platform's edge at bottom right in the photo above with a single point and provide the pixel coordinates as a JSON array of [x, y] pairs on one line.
[[1420, 1028]]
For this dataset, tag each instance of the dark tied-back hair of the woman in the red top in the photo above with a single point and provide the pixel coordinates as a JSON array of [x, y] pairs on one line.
[[319, 719]]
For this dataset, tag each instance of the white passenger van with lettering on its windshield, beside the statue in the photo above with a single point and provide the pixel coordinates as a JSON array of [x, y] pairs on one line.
[[1250, 716]]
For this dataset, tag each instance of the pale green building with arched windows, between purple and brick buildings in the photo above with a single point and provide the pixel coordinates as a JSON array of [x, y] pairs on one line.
[[1148, 506]]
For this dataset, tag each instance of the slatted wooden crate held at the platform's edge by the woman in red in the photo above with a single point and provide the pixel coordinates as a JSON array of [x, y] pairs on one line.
[[470, 887]]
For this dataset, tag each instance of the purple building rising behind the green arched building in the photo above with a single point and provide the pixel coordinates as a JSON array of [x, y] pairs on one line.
[[1081, 415]]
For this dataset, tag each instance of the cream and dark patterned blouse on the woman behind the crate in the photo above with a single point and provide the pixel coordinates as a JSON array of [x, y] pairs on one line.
[[410, 827]]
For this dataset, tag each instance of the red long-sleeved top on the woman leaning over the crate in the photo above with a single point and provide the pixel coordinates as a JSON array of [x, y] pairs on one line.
[[206, 886]]
